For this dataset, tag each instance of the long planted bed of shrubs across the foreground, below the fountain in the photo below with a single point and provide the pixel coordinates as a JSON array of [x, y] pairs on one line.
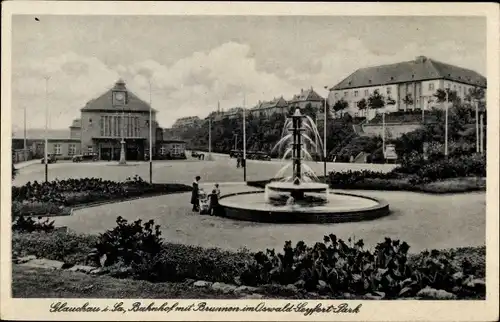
[[331, 267]]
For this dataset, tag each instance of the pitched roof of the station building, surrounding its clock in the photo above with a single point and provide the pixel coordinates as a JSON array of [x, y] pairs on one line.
[[104, 101]]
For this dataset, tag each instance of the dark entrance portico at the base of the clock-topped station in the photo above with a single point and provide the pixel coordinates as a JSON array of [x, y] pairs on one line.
[[109, 149]]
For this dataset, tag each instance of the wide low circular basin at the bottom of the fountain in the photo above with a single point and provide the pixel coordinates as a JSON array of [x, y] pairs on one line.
[[340, 207]]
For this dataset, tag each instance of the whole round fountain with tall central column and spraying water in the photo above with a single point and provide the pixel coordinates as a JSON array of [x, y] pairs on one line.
[[300, 197]]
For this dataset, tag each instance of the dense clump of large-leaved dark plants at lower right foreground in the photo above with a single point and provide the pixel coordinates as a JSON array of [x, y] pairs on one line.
[[333, 266]]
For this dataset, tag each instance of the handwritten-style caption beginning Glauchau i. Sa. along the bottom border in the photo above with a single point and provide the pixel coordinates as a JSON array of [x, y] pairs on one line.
[[304, 308]]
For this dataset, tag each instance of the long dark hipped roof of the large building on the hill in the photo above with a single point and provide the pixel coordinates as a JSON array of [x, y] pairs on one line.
[[422, 68]]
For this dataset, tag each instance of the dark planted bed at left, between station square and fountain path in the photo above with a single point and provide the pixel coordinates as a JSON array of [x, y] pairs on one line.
[[58, 197]]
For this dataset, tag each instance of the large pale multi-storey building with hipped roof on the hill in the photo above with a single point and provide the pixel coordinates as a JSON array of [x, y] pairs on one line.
[[409, 85]]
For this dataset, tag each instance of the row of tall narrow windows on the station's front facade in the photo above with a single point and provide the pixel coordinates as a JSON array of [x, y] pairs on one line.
[[116, 126]]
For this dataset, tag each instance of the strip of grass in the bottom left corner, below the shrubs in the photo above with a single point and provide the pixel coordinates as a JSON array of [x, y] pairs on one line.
[[46, 283]]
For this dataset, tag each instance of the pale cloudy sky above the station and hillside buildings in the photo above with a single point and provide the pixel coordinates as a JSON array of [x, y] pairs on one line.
[[196, 61]]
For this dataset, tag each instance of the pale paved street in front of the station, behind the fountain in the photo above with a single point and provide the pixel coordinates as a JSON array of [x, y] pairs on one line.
[[222, 169]]
